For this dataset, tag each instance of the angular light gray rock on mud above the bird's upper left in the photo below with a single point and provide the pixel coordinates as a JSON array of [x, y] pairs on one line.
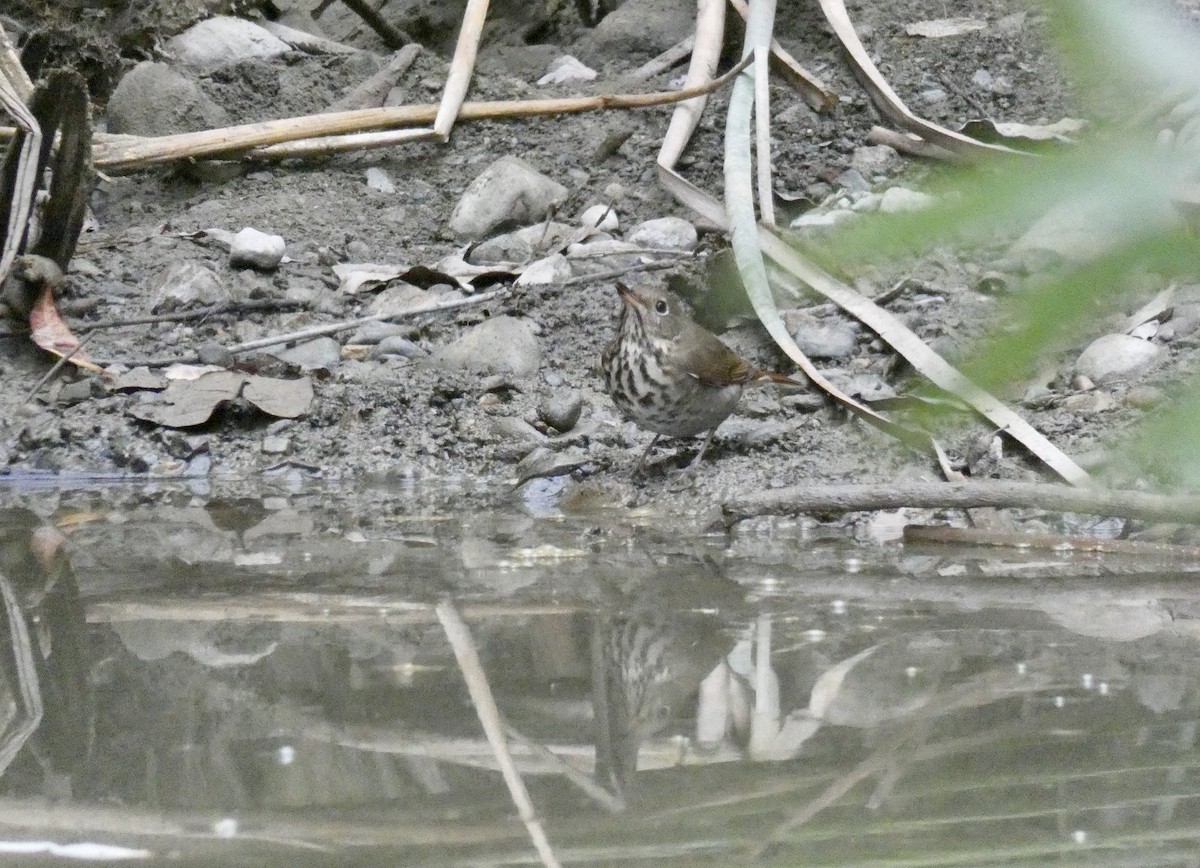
[[511, 191]]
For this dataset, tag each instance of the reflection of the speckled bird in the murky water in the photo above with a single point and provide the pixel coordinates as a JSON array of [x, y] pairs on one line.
[[646, 671]]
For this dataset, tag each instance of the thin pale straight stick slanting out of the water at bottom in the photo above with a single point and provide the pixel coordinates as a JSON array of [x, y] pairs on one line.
[[490, 717]]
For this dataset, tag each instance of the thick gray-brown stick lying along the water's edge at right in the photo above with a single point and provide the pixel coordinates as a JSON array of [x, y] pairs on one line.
[[855, 499]]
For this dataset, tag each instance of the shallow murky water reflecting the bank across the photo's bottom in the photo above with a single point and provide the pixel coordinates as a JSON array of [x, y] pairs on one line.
[[267, 679]]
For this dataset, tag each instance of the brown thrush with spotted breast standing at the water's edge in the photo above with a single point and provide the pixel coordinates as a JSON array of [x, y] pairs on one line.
[[670, 375]]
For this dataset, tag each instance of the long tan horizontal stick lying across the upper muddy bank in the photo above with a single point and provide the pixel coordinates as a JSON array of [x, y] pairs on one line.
[[127, 153]]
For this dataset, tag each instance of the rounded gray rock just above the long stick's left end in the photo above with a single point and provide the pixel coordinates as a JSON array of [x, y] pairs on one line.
[[154, 100]]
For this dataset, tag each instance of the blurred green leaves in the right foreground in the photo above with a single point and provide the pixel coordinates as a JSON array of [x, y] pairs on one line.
[[1123, 191]]
